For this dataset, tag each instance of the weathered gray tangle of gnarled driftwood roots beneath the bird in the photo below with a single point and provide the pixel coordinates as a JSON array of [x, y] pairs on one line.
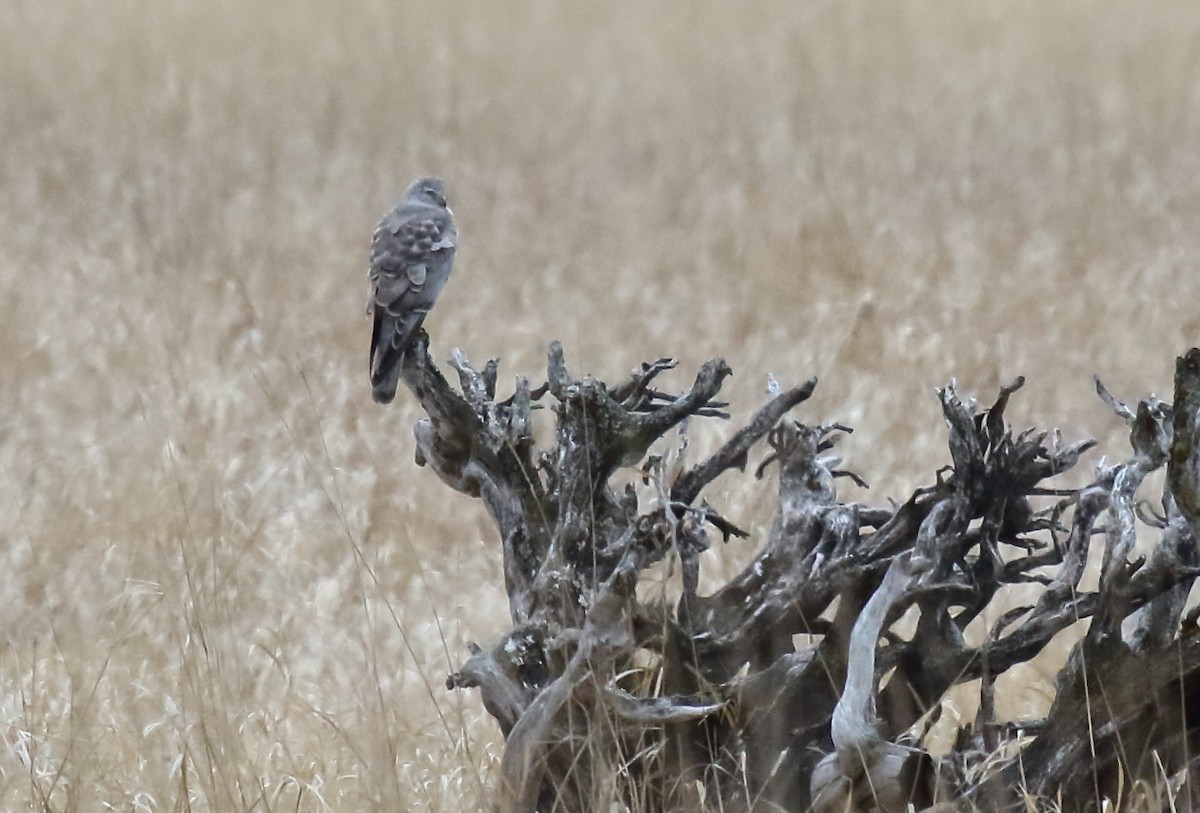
[[609, 698]]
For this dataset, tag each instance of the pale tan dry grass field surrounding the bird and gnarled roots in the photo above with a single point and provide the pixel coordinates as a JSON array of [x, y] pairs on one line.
[[226, 586]]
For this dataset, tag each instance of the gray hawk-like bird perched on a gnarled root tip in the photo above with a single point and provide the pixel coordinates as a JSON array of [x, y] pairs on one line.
[[412, 254]]
